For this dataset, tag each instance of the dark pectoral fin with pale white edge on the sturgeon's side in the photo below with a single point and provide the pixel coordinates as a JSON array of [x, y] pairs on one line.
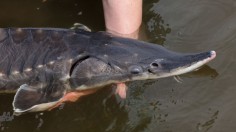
[[37, 98]]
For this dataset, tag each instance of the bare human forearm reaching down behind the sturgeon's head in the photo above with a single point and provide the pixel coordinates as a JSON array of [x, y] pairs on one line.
[[123, 17]]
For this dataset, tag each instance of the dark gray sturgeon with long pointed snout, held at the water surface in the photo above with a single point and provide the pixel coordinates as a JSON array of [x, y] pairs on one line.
[[44, 64]]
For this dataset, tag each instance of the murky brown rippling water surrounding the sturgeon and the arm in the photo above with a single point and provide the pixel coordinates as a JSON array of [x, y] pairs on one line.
[[204, 101]]
